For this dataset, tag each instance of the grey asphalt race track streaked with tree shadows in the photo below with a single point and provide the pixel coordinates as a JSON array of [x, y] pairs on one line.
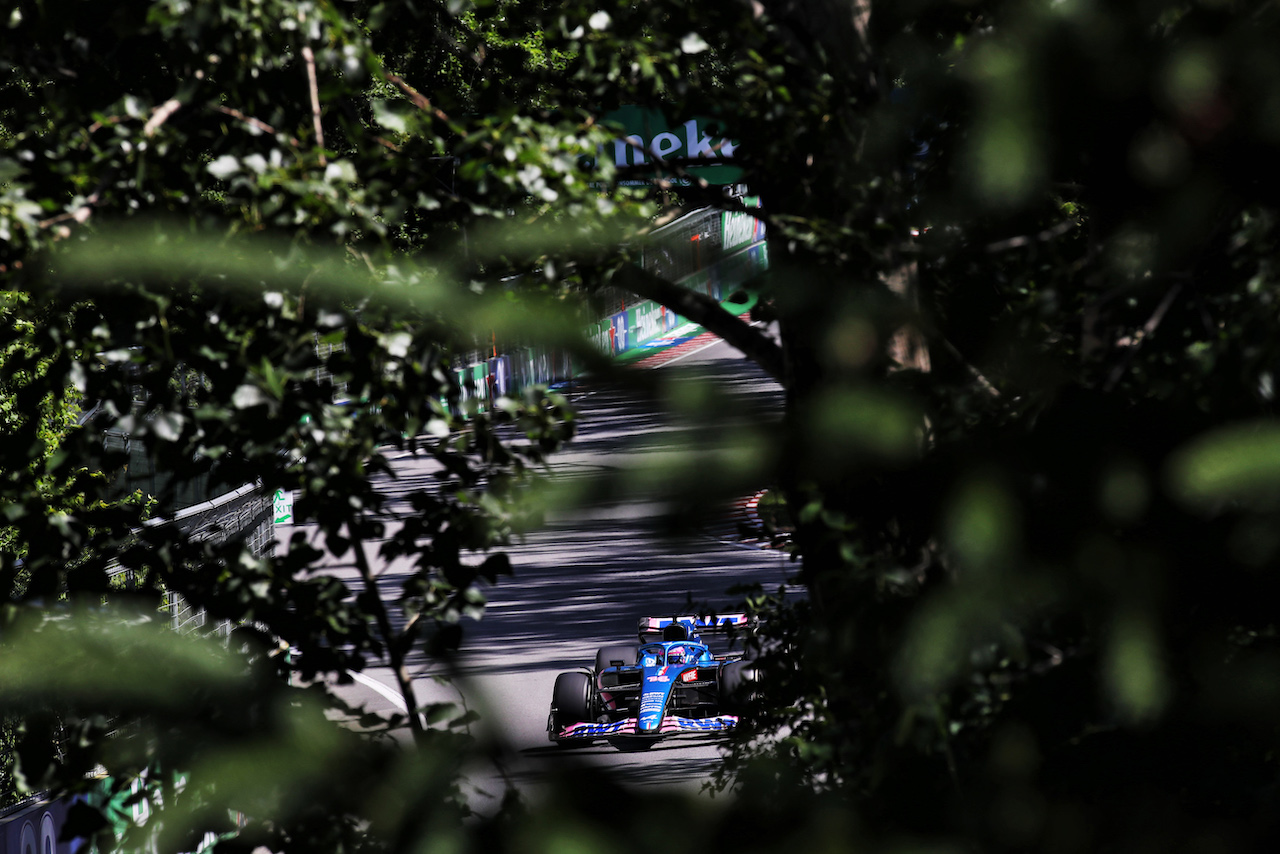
[[582, 583]]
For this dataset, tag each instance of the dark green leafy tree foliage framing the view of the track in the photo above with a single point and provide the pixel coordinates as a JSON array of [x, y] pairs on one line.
[[1023, 270]]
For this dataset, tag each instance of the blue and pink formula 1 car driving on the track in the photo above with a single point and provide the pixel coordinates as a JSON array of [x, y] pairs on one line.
[[670, 684]]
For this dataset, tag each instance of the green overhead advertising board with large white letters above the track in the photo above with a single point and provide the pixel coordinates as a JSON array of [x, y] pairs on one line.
[[651, 139]]
